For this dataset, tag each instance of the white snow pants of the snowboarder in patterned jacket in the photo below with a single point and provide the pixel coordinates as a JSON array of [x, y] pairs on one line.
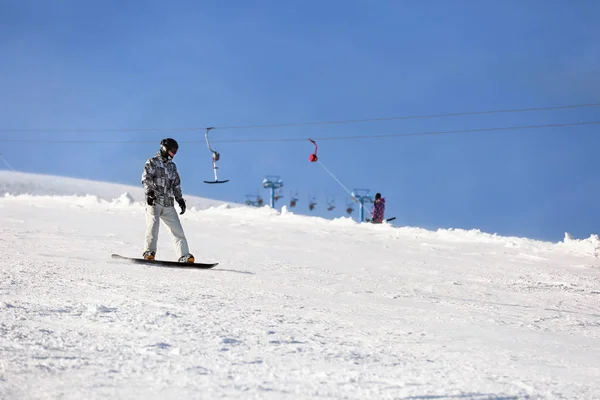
[[170, 217]]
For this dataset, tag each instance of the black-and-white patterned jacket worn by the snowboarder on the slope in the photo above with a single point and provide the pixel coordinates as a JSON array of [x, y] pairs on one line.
[[160, 176]]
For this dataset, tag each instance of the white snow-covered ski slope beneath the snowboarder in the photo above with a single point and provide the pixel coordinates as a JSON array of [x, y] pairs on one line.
[[298, 308]]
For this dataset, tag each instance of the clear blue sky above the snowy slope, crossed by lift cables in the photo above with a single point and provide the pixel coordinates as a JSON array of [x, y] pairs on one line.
[[156, 64]]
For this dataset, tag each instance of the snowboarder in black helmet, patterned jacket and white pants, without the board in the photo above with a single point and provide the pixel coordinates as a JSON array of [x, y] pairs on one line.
[[162, 185]]
